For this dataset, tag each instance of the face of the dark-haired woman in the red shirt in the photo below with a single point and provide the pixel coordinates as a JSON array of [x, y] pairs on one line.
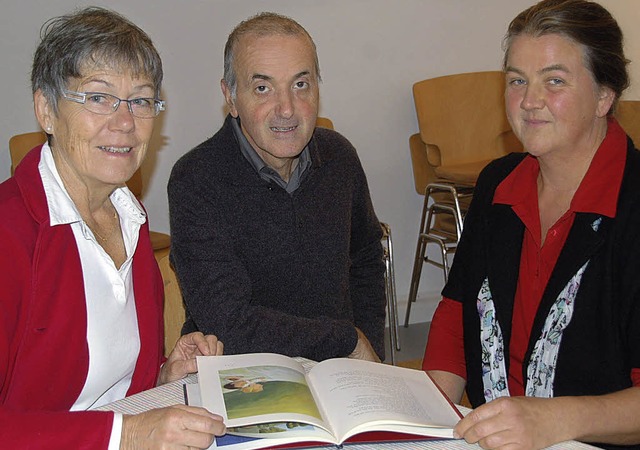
[[552, 101]]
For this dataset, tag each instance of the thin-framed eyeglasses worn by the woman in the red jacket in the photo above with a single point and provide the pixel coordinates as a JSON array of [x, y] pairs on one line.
[[105, 104]]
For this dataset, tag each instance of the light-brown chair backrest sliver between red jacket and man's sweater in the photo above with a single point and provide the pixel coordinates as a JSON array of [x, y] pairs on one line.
[[174, 312]]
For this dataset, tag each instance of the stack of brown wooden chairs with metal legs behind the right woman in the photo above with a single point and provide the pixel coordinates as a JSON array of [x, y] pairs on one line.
[[463, 126]]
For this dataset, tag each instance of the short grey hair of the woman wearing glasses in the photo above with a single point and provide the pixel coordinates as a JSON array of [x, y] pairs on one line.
[[91, 37]]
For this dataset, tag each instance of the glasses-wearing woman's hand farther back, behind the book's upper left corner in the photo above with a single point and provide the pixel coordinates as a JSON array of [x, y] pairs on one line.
[[182, 360]]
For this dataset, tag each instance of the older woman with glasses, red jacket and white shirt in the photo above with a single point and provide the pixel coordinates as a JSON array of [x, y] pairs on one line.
[[81, 298]]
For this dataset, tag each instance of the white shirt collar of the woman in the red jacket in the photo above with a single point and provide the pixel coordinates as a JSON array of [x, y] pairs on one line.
[[62, 210]]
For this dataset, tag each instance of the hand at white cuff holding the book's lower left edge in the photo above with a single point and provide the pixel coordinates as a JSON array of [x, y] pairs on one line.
[[176, 427]]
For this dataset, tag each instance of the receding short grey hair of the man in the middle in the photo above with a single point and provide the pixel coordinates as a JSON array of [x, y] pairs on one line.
[[262, 24]]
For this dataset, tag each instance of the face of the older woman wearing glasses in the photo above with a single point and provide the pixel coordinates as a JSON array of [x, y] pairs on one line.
[[93, 150]]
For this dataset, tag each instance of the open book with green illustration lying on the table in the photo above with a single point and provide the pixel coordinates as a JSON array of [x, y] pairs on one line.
[[268, 400]]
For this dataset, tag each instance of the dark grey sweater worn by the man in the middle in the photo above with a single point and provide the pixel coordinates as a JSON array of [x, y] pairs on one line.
[[267, 271]]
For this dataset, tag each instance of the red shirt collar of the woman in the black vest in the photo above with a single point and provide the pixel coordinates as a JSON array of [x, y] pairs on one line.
[[598, 190]]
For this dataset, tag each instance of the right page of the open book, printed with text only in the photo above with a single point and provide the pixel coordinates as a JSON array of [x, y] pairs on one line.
[[361, 396]]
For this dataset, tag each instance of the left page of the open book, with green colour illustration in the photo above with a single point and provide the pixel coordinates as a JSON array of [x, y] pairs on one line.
[[257, 389]]
